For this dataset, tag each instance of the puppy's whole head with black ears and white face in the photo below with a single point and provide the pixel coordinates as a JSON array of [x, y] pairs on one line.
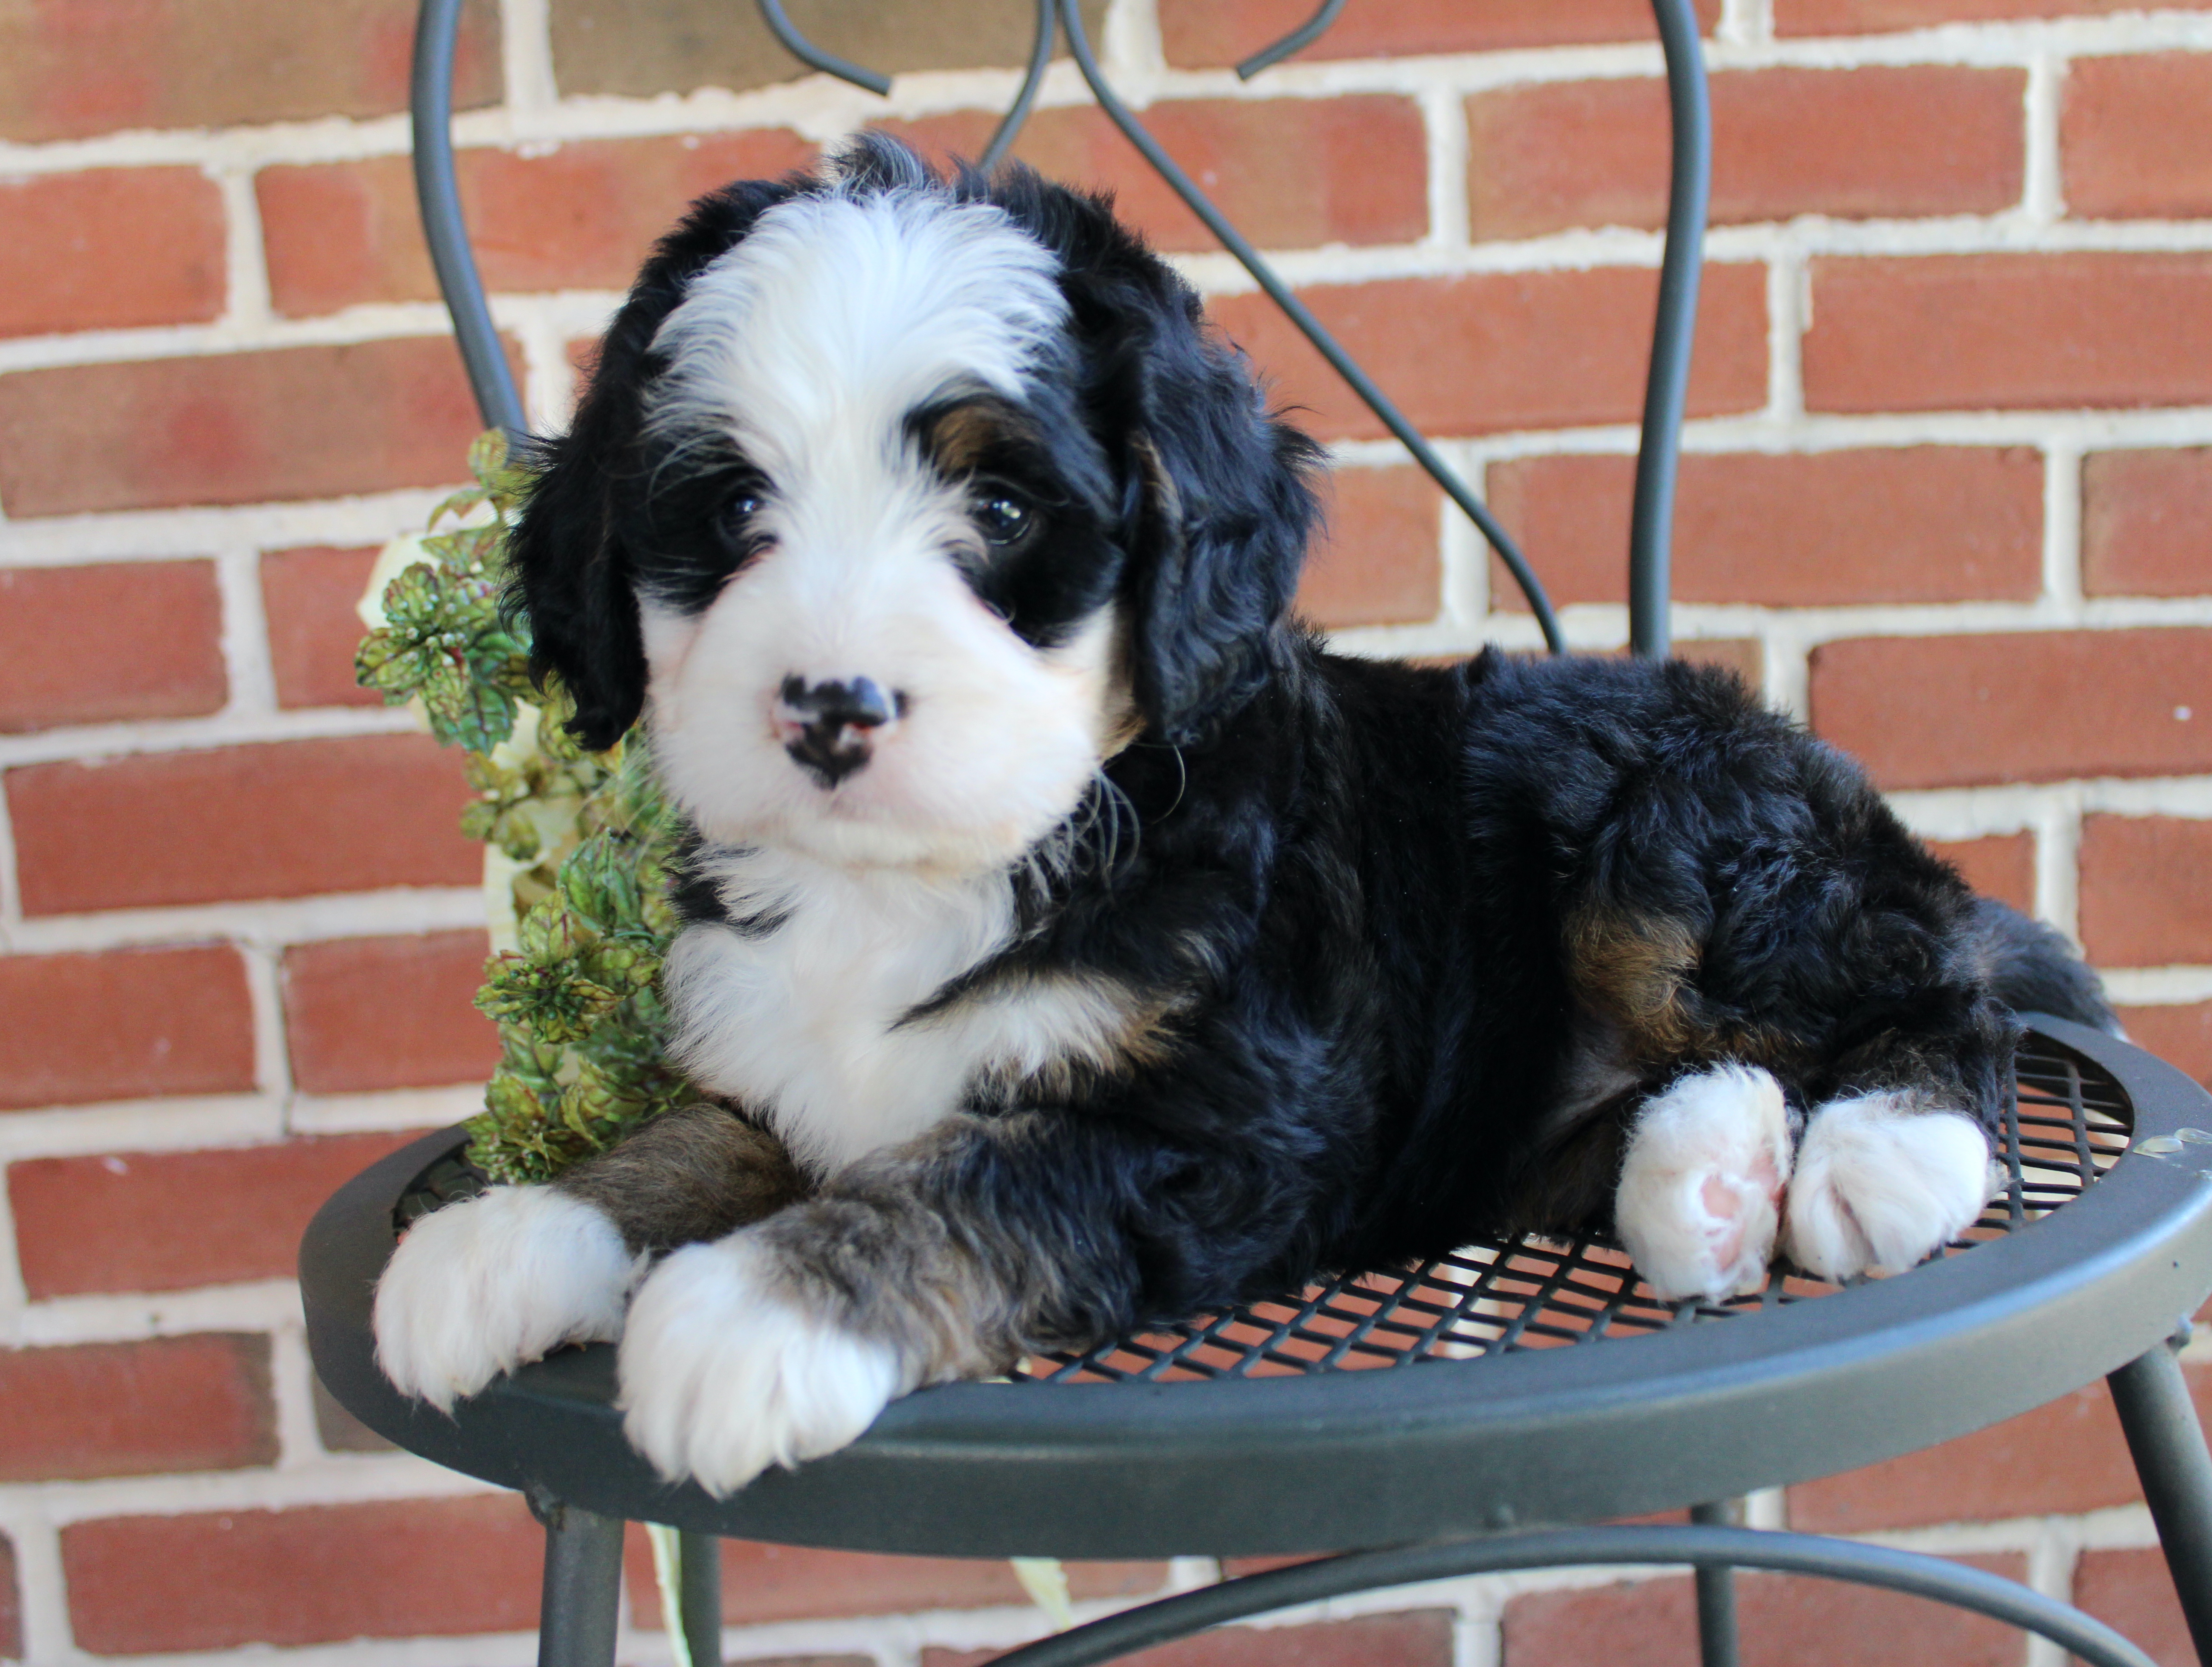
[[899, 505]]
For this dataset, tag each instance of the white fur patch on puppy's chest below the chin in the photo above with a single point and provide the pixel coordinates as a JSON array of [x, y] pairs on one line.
[[804, 1014]]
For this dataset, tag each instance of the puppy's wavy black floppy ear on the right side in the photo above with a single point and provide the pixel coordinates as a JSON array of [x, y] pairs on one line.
[[1224, 516]]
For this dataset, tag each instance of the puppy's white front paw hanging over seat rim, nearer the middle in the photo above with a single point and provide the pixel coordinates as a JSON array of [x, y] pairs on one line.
[[724, 1374]]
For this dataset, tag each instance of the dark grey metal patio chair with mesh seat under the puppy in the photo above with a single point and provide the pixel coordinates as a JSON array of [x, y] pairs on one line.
[[1468, 1416]]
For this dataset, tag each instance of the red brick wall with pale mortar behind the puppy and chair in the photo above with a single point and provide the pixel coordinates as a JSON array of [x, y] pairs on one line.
[[1948, 496]]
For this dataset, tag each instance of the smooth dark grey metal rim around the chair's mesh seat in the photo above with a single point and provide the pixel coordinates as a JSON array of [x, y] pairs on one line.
[[1390, 1456]]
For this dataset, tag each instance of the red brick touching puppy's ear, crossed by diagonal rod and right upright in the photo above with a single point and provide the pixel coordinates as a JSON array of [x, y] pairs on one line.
[[1505, 350]]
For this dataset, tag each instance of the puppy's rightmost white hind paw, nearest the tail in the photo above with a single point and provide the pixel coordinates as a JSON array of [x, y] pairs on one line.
[[1881, 1184]]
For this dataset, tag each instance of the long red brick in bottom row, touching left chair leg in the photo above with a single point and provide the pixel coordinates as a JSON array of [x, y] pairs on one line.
[[393, 1569]]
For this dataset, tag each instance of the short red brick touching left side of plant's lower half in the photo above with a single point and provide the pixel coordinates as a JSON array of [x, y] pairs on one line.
[[368, 1014]]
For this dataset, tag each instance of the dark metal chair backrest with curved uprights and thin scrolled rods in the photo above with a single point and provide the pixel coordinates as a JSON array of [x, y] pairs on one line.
[[1667, 388]]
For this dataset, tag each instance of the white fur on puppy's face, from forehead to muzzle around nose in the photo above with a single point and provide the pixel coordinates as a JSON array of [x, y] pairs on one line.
[[811, 344]]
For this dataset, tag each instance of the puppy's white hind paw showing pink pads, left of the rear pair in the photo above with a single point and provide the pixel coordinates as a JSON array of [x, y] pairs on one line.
[[1702, 1184]]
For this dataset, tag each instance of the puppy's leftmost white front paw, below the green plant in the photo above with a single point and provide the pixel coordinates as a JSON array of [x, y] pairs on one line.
[[494, 1281]]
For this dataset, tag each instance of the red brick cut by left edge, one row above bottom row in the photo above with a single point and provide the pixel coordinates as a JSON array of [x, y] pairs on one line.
[[136, 1409]]
